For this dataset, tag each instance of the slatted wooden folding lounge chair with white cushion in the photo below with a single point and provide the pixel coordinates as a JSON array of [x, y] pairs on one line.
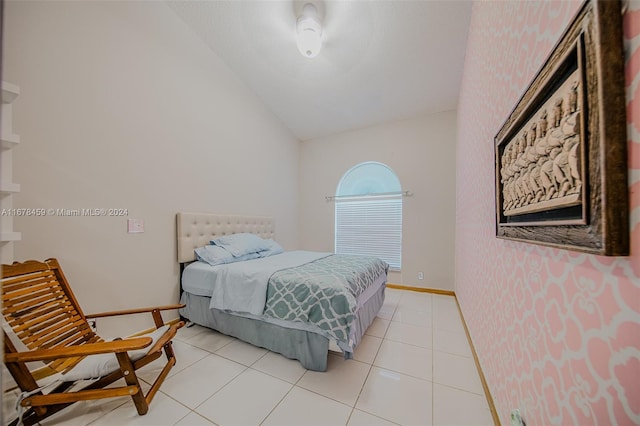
[[42, 321]]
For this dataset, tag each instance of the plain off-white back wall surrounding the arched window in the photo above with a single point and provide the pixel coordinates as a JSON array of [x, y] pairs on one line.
[[422, 153]]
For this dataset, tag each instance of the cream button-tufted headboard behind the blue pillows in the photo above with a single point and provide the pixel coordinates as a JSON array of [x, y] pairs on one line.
[[197, 229]]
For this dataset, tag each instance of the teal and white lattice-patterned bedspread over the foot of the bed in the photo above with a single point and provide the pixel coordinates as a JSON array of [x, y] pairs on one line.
[[323, 293]]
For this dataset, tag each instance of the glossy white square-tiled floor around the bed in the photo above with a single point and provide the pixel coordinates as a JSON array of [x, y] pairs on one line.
[[413, 367]]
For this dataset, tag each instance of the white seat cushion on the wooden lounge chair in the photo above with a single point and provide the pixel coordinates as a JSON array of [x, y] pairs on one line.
[[94, 366]]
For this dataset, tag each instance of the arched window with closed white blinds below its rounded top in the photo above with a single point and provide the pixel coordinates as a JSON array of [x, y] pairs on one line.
[[369, 213]]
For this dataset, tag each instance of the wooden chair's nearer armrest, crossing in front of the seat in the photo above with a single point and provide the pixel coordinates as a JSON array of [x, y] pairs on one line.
[[80, 350]]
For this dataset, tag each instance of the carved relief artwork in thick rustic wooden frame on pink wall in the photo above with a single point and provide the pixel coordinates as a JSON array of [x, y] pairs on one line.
[[561, 155]]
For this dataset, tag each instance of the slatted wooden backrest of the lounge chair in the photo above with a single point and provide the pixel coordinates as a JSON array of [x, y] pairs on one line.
[[41, 310]]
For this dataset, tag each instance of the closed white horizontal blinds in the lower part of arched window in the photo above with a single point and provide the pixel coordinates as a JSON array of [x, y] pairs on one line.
[[371, 226]]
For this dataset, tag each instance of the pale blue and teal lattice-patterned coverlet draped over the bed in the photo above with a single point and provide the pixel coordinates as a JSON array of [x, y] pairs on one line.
[[315, 289]]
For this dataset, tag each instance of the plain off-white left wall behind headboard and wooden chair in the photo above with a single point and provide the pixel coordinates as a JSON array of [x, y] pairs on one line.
[[122, 106]]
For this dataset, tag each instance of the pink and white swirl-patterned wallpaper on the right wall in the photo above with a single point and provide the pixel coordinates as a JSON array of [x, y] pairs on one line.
[[557, 332]]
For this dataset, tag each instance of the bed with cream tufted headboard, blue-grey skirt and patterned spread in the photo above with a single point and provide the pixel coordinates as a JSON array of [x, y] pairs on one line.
[[306, 335]]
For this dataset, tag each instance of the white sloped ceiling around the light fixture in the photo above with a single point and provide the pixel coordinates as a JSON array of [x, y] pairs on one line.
[[381, 60]]
